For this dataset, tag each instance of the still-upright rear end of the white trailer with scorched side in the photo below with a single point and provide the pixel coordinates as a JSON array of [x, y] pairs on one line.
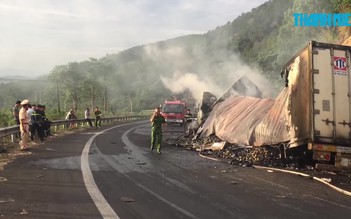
[[320, 104]]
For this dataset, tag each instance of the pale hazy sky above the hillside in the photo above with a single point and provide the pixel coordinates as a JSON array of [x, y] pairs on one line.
[[36, 35]]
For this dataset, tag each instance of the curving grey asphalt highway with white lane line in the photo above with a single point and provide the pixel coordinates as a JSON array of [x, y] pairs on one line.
[[111, 173]]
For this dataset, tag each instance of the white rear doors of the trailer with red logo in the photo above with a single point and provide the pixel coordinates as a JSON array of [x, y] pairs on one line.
[[331, 94]]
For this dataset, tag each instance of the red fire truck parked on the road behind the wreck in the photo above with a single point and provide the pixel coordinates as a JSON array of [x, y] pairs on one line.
[[174, 111]]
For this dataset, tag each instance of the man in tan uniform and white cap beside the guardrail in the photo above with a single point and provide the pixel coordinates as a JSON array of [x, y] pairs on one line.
[[24, 125]]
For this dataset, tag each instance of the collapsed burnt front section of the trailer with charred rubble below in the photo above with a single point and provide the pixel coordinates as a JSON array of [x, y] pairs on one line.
[[246, 129]]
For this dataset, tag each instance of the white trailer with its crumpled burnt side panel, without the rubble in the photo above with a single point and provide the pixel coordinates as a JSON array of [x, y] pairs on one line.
[[313, 110]]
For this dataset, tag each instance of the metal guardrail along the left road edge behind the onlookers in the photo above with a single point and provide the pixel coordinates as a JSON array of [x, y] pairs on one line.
[[64, 124]]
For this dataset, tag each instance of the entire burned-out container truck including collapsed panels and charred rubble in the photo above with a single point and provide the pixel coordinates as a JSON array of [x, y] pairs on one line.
[[309, 121]]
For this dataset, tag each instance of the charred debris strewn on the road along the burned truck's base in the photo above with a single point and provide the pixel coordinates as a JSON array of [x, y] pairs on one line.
[[214, 148]]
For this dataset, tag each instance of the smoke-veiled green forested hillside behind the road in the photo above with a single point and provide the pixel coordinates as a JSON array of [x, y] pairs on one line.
[[259, 43]]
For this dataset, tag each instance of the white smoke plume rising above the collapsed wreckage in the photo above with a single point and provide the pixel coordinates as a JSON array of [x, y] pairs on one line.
[[207, 75]]
